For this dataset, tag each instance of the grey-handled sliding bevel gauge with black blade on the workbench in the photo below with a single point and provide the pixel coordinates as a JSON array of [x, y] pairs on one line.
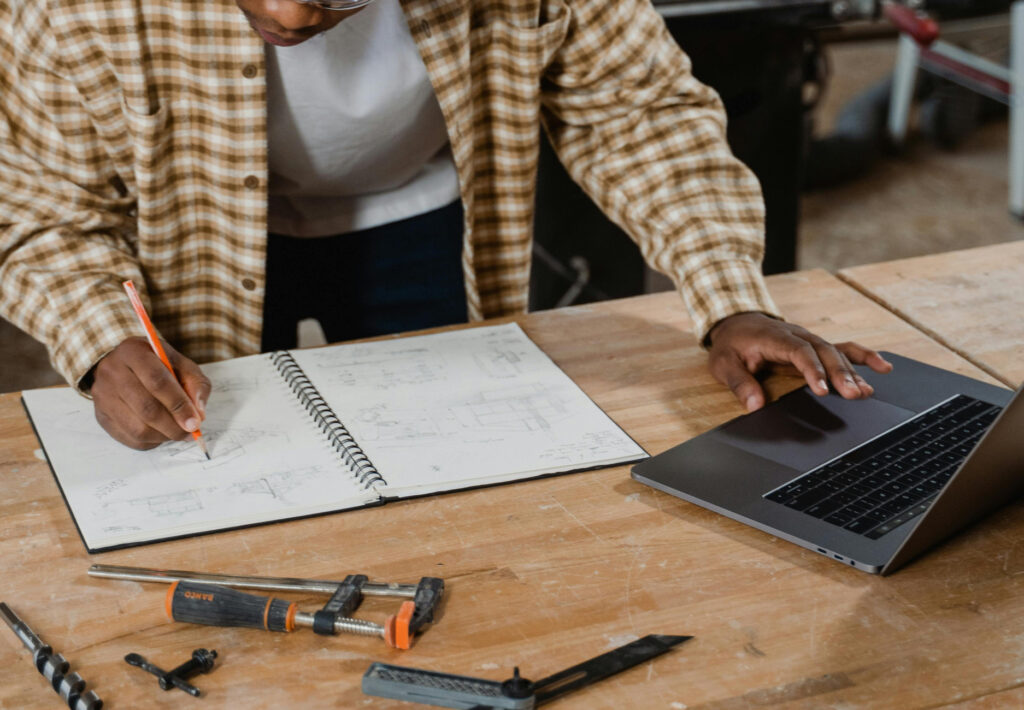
[[466, 693]]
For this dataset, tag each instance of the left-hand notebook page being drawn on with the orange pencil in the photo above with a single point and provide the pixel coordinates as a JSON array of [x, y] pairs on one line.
[[268, 463]]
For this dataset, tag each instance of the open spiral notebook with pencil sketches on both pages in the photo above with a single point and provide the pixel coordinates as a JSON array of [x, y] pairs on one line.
[[311, 432]]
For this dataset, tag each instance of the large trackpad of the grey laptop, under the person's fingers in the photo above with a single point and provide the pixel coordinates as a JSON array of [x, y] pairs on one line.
[[803, 431]]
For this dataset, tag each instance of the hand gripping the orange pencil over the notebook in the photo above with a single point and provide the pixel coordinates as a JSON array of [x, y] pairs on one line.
[[140, 403]]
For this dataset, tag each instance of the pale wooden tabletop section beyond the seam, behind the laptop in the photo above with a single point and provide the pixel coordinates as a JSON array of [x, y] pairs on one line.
[[969, 301]]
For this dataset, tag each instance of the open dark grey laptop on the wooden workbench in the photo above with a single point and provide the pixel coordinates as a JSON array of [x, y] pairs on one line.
[[873, 483]]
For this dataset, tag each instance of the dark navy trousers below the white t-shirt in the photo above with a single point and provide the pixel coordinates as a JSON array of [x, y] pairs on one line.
[[388, 279]]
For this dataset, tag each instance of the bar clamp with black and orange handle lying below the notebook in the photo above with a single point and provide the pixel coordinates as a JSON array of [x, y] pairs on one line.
[[205, 599]]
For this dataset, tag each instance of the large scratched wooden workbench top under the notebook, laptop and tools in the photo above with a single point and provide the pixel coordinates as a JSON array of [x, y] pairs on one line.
[[545, 574]]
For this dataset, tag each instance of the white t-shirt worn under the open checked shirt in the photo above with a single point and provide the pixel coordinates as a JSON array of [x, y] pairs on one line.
[[357, 137]]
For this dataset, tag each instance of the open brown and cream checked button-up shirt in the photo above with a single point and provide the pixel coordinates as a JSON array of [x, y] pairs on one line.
[[134, 146]]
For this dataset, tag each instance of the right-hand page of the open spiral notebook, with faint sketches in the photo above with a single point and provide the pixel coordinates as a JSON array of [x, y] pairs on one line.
[[464, 408]]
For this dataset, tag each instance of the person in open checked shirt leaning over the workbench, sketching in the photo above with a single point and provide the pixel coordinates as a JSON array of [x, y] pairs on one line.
[[159, 141]]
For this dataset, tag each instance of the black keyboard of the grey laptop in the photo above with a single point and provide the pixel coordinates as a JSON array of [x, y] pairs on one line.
[[876, 488]]
